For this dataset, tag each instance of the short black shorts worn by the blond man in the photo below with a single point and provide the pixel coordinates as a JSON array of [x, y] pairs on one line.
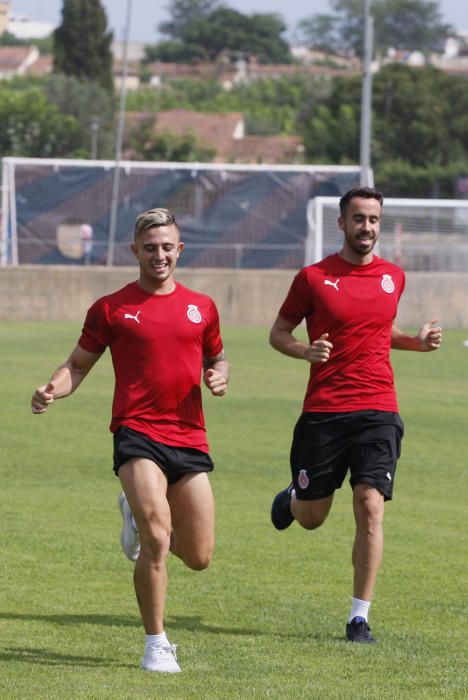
[[175, 462]]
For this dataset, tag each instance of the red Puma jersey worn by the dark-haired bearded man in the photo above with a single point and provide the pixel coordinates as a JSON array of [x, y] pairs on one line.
[[356, 305]]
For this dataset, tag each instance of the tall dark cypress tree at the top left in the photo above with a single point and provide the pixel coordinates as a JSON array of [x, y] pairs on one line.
[[82, 43]]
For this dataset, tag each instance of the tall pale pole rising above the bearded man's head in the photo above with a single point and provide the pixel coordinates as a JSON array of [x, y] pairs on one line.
[[366, 97]]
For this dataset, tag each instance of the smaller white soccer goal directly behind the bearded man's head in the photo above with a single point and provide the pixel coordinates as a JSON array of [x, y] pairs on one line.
[[418, 234]]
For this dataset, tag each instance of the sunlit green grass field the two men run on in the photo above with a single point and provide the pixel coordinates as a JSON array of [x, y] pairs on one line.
[[267, 619]]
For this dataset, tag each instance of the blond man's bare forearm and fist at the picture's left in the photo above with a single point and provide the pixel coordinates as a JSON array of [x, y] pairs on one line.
[[64, 380]]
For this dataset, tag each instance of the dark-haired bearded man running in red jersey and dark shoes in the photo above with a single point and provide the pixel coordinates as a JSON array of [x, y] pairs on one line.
[[350, 417]]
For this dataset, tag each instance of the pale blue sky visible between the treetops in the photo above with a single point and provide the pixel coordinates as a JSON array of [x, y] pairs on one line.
[[147, 14]]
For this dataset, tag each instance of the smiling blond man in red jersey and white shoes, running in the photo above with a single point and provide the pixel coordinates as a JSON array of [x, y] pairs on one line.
[[163, 337]]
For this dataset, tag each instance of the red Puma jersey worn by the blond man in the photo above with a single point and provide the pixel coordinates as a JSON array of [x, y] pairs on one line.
[[157, 343]]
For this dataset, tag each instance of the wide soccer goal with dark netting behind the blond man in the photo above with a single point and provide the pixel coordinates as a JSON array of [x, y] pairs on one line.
[[237, 216]]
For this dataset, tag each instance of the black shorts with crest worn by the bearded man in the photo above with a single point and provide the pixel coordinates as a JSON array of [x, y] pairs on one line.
[[326, 445]]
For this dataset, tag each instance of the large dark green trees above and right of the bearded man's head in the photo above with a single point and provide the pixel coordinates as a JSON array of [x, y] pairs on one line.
[[417, 134]]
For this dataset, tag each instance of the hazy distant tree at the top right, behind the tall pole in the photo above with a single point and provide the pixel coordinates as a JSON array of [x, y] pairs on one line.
[[400, 24]]
